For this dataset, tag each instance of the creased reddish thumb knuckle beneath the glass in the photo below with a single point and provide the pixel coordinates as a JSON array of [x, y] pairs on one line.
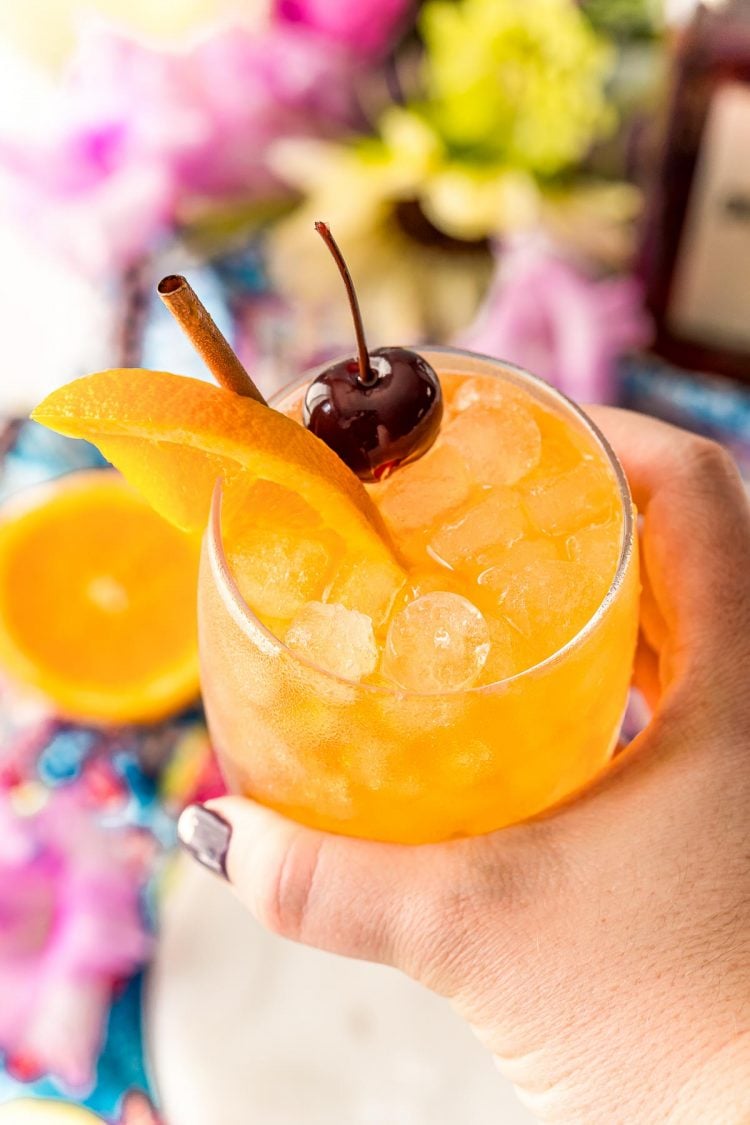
[[286, 889]]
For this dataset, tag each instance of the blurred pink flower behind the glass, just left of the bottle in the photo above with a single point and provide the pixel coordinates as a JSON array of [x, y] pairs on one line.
[[546, 314]]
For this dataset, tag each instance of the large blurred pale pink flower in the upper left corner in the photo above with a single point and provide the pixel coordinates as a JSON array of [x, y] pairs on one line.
[[140, 138]]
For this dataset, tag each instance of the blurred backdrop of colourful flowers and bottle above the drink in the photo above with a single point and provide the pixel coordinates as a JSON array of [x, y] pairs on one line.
[[563, 186]]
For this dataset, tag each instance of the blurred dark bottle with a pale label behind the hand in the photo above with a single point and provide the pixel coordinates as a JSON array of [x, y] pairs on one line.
[[697, 248]]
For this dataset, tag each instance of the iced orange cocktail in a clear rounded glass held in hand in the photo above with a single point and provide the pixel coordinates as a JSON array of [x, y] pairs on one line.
[[474, 680]]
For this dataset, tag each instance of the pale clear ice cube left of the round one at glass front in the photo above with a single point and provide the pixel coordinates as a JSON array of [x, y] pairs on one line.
[[339, 641]]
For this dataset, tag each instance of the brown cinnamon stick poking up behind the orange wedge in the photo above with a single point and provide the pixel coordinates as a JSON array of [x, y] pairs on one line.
[[198, 326]]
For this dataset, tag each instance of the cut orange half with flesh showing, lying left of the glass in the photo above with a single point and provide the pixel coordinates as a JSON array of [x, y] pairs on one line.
[[97, 601]]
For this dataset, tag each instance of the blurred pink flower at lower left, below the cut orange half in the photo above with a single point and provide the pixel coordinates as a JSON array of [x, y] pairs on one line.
[[70, 929]]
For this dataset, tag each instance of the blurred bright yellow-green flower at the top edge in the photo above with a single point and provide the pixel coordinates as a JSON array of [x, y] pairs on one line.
[[516, 83]]
